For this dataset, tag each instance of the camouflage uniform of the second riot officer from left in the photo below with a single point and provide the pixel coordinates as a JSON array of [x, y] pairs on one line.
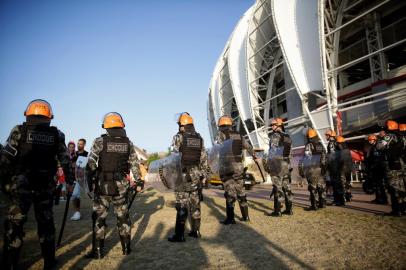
[[104, 197]]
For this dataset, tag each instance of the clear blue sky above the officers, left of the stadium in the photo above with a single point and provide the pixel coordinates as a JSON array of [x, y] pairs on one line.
[[145, 59]]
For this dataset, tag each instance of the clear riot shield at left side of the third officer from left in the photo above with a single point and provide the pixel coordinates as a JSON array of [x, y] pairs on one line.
[[166, 171]]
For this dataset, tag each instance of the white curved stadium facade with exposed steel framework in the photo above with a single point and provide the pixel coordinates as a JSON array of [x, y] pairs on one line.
[[337, 64]]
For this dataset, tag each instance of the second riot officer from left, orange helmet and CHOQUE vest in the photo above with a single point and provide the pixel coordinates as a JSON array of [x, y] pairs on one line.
[[111, 158]]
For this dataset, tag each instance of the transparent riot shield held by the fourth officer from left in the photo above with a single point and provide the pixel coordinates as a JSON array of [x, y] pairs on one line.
[[229, 162]]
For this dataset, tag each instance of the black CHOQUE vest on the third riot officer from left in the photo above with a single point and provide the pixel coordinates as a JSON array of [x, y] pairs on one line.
[[191, 149]]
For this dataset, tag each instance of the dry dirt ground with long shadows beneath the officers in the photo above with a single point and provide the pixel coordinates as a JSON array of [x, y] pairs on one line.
[[327, 239]]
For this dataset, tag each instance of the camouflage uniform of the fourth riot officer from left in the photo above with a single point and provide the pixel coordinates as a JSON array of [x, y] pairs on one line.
[[234, 183]]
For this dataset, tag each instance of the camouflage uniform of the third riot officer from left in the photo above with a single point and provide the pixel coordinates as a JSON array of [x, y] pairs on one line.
[[187, 195]]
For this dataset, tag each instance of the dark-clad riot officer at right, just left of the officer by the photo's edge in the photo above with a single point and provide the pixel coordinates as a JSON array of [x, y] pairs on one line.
[[375, 171]]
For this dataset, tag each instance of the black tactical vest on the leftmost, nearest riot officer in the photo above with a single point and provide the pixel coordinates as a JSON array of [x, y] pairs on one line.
[[37, 150]]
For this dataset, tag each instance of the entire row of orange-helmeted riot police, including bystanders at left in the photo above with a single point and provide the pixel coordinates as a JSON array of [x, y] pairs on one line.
[[29, 180]]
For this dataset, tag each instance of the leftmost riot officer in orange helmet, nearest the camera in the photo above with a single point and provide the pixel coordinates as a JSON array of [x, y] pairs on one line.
[[28, 165]]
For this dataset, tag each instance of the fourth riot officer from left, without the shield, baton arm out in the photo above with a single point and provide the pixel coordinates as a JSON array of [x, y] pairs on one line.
[[233, 181]]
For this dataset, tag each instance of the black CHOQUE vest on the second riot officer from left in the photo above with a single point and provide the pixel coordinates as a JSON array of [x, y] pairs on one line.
[[113, 163]]
